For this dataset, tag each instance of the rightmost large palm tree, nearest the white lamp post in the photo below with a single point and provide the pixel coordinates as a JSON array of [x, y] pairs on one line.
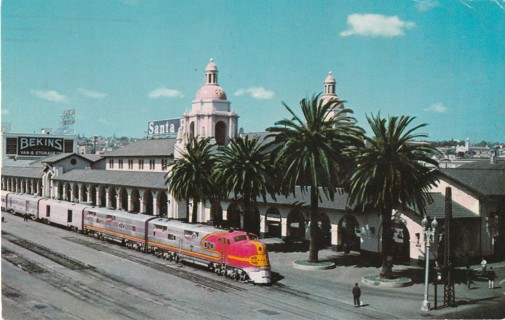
[[392, 172]]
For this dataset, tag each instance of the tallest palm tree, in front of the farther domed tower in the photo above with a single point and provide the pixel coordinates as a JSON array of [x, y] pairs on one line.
[[313, 152]]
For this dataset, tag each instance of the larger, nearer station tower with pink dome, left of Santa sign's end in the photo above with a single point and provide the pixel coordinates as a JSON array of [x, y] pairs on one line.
[[210, 114]]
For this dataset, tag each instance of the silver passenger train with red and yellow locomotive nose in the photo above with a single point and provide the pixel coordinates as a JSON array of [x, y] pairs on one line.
[[232, 253]]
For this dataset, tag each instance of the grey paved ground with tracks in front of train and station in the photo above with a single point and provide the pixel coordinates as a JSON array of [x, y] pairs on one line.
[[50, 273]]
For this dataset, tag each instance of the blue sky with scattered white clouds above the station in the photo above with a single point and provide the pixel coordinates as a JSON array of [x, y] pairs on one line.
[[122, 63]]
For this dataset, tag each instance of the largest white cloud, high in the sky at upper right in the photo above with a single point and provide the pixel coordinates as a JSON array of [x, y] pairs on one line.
[[376, 25]]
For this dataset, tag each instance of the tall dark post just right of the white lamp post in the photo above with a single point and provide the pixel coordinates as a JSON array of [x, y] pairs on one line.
[[449, 294]]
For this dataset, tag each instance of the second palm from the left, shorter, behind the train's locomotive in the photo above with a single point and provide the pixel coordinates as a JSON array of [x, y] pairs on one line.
[[244, 169]]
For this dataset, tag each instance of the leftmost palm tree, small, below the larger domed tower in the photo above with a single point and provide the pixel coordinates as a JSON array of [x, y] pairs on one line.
[[190, 176]]
